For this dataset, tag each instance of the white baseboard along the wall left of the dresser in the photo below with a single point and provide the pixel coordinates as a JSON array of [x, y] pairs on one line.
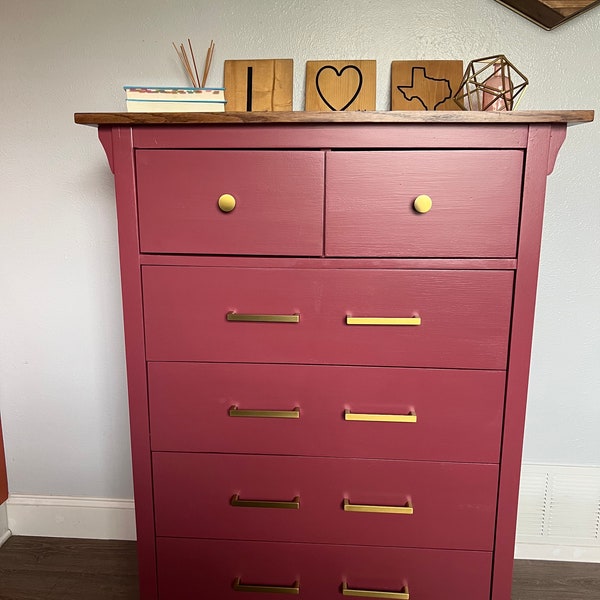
[[71, 517]]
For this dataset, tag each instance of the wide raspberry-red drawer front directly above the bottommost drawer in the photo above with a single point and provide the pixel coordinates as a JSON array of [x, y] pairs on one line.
[[453, 504]]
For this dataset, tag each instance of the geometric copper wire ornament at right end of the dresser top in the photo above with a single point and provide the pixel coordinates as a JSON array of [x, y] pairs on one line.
[[492, 83]]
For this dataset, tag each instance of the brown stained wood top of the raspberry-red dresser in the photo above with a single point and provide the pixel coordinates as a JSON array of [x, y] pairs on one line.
[[224, 118]]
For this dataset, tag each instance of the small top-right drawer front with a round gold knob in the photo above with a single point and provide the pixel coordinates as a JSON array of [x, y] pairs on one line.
[[475, 203]]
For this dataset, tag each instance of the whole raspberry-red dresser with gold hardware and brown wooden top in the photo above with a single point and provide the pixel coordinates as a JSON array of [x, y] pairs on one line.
[[328, 322]]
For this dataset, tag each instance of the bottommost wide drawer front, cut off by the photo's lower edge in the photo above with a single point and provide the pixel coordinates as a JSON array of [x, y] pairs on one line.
[[189, 569]]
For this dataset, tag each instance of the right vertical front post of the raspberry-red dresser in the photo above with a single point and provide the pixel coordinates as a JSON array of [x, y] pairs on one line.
[[534, 188]]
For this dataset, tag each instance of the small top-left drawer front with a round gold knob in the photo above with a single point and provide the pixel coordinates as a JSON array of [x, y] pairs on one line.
[[279, 202]]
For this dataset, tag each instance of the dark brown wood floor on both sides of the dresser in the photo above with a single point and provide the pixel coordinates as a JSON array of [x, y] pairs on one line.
[[61, 569]]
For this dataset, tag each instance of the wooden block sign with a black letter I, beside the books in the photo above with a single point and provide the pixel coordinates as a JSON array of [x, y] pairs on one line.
[[258, 85]]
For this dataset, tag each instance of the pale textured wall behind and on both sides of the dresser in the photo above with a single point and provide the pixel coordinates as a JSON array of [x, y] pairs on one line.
[[62, 381]]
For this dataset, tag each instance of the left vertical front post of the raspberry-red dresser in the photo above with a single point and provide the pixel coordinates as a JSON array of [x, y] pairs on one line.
[[125, 187]]
